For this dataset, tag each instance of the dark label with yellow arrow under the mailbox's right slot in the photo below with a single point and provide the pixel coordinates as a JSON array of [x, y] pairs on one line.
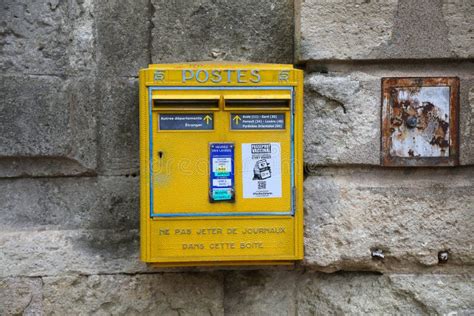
[[259, 121]]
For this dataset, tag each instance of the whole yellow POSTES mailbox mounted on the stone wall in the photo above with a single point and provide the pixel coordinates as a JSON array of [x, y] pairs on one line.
[[221, 164]]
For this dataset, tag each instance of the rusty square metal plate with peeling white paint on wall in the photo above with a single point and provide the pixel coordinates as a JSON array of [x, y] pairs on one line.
[[420, 121]]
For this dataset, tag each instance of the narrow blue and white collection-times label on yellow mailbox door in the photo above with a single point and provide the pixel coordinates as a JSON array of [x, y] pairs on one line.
[[221, 180]]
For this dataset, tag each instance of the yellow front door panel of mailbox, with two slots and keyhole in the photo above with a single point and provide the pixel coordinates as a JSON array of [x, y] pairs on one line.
[[182, 133]]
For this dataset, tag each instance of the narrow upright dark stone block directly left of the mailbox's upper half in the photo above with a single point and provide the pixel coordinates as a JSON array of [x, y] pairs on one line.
[[118, 127]]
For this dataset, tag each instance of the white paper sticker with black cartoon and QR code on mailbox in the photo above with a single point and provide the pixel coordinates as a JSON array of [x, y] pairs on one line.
[[261, 170]]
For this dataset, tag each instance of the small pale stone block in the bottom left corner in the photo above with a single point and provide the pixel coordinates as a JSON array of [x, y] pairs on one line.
[[21, 296]]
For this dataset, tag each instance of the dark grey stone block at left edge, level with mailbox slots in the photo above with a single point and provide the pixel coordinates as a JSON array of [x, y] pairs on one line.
[[48, 118]]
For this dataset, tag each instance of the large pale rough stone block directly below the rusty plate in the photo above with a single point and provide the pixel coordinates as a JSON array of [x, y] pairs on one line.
[[410, 215]]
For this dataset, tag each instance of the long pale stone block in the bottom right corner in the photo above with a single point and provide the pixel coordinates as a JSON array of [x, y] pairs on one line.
[[356, 293]]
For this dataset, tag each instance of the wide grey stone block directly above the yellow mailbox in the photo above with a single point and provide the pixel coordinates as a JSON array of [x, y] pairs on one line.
[[222, 30]]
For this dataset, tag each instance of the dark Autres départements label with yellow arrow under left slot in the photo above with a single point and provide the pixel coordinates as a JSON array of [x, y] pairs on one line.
[[180, 122]]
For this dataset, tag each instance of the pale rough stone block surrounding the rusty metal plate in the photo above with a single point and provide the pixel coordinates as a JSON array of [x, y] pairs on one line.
[[343, 110]]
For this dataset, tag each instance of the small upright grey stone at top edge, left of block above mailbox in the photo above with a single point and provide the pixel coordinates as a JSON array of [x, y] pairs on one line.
[[123, 37]]
